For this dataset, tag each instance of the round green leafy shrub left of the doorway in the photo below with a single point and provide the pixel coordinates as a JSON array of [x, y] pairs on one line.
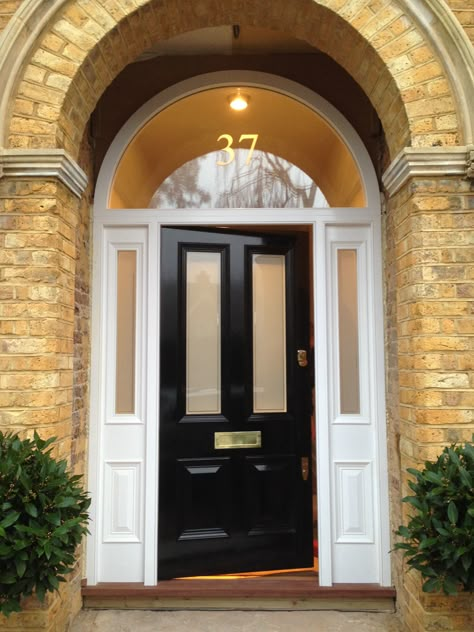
[[43, 516]]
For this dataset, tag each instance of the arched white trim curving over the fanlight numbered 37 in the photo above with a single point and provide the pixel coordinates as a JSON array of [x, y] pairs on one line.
[[230, 78]]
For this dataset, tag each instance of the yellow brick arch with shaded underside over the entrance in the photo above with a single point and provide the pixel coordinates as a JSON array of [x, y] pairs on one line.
[[89, 42]]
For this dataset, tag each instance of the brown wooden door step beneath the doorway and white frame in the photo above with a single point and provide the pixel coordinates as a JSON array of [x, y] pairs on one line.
[[253, 593]]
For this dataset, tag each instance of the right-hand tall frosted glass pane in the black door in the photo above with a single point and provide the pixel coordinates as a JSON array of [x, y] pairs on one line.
[[269, 334]]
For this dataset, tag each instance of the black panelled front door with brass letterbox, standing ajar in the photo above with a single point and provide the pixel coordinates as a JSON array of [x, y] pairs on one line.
[[235, 448]]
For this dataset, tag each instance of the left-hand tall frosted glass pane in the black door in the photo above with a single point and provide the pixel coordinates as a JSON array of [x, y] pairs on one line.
[[203, 333]]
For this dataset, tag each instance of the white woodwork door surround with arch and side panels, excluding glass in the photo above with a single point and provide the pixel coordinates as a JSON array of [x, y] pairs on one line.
[[351, 448]]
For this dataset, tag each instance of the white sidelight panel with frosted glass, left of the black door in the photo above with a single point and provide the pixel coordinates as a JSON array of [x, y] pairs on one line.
[[120, 387]]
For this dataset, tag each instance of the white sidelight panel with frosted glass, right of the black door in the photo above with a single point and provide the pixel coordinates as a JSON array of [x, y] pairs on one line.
[[355, 412]]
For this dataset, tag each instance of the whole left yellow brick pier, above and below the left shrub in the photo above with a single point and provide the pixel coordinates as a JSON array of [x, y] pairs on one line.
[[39, 231]]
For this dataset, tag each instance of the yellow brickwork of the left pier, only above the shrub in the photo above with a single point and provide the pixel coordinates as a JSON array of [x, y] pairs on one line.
[[37, 258]]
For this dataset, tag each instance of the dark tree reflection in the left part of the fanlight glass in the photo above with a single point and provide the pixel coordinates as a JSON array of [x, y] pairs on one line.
[[181, 189]]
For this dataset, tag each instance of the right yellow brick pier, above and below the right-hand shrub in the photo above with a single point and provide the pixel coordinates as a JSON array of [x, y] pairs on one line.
[[430, 357]]
